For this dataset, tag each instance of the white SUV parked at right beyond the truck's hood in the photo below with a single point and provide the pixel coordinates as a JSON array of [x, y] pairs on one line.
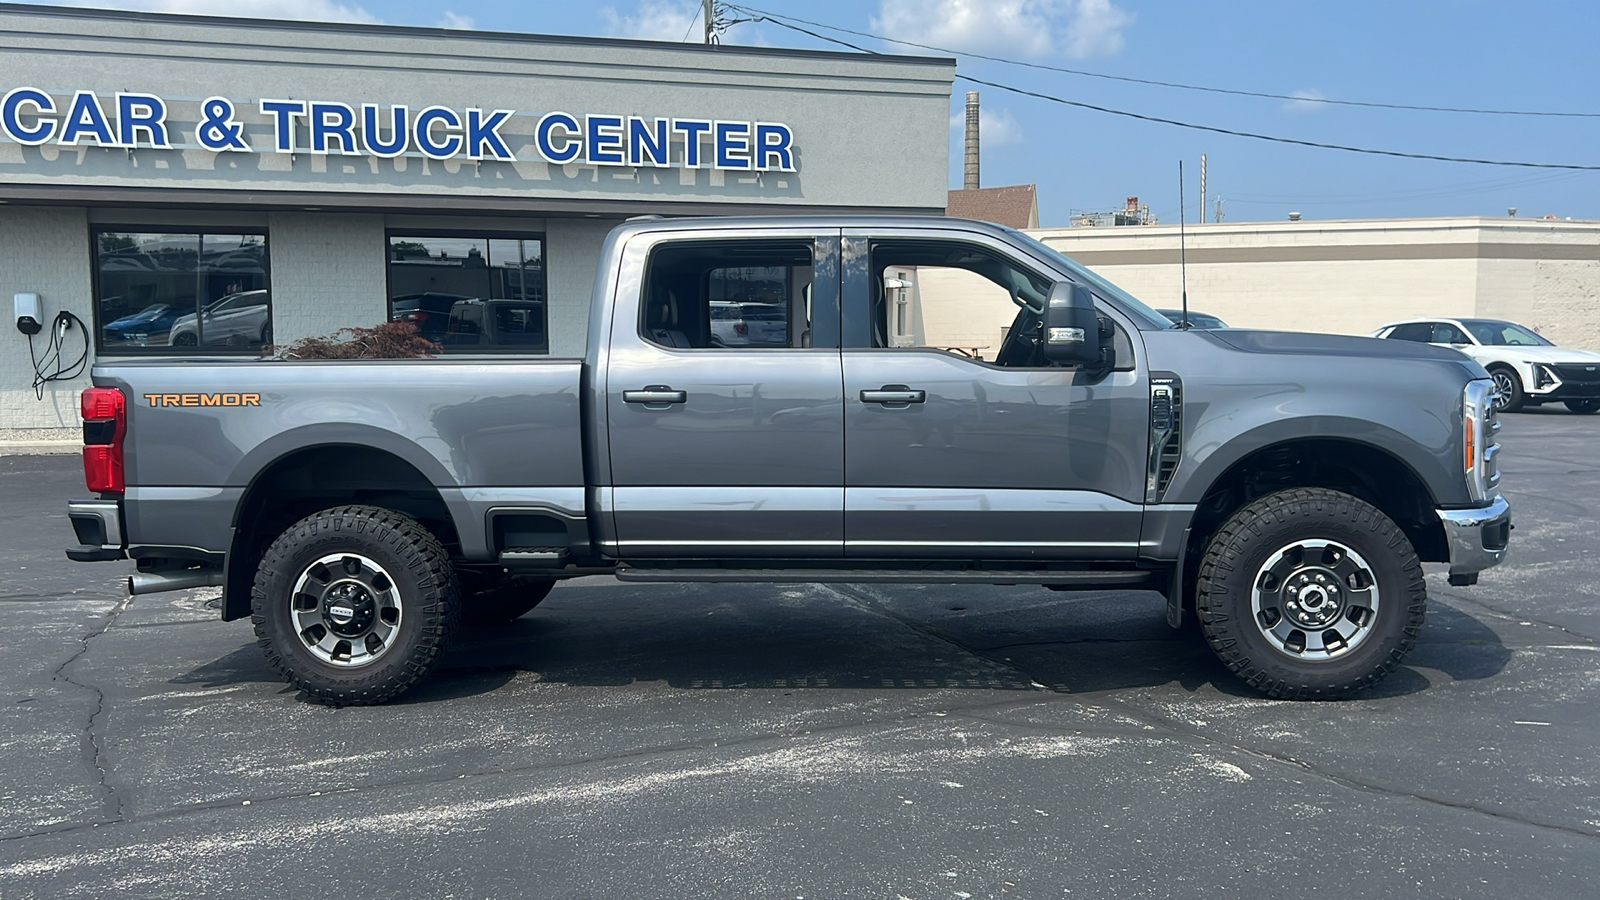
[[1527, 369]]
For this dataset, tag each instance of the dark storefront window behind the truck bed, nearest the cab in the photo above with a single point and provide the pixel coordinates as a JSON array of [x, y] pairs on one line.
[[471, 294]]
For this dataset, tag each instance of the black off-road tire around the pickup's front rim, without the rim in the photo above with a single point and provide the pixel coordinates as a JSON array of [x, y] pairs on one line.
[[1252, 537]]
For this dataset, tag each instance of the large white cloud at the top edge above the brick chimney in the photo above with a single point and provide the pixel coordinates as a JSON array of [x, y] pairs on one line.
[[1009, 28]]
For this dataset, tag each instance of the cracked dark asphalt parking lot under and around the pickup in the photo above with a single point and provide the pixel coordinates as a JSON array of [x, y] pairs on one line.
[[807, 742]]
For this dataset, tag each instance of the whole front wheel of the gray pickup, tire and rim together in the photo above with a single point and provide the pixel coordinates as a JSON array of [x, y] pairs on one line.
[[1311, 595]]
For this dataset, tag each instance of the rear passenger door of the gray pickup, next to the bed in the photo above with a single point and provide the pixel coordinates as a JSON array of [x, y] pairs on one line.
[[727, 440]]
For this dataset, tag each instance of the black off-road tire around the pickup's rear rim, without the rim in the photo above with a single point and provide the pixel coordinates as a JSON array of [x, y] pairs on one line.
[[420, 571]]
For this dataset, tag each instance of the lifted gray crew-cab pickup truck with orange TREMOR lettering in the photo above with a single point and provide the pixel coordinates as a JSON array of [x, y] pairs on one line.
[[1281, 489]]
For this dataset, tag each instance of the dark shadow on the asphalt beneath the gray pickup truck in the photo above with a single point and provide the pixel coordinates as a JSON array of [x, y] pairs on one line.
[[913, 641]]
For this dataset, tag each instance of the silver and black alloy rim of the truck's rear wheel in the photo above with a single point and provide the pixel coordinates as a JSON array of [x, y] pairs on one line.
[[346, 609]]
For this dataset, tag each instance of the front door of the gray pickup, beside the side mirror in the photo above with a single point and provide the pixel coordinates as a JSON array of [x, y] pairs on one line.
[[961, 441]]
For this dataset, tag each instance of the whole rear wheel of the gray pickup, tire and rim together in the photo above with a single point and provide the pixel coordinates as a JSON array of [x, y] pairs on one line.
[[354, 605]]
